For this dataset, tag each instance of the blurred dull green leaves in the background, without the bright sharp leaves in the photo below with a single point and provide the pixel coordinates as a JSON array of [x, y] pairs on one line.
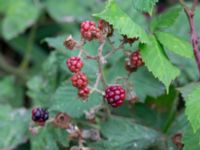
[[33, 73]]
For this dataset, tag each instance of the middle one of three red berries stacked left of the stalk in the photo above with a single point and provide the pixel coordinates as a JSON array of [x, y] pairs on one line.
[[79, 80]]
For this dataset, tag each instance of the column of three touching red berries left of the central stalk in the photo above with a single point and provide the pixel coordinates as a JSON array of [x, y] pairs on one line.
[[79, 79]]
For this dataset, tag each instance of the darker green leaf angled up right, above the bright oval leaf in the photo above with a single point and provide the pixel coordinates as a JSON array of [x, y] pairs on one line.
[[166, 19]]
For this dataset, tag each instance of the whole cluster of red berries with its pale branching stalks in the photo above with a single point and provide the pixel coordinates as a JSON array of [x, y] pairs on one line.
[[113, 94]]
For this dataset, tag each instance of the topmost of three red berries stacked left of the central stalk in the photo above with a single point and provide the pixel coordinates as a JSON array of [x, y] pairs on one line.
[[74, 64]]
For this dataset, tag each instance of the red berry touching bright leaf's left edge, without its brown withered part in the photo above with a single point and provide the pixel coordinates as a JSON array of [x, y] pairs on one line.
[[136, 59]]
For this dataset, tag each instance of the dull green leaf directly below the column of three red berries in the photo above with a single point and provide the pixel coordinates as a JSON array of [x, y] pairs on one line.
[[66, 100]]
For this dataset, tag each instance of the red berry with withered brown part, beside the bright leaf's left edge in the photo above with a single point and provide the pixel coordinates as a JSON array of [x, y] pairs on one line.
[[134, 61]]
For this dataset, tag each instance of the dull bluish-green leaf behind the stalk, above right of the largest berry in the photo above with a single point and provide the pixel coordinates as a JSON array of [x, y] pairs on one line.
[[145, 84]]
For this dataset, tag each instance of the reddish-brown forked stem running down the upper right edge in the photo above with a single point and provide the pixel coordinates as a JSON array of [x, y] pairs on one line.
[[194, 36]]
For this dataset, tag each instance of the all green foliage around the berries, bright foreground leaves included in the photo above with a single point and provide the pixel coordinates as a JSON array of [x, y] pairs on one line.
[[33, 73]]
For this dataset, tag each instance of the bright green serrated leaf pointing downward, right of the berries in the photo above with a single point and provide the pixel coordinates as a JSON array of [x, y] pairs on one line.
[[158, 63]]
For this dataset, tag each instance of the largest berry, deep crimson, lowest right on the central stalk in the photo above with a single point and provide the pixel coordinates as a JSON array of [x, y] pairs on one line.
[[115, 95]]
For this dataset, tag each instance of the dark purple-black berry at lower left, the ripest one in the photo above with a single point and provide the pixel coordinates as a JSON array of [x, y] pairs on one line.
[[40, 115]]
